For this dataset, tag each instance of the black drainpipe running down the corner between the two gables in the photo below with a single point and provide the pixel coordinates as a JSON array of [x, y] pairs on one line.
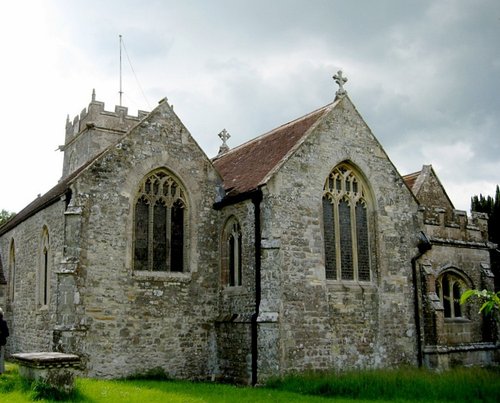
[[256, 200]]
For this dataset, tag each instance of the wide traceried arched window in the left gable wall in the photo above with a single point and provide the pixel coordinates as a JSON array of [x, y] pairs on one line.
[[160, 224]]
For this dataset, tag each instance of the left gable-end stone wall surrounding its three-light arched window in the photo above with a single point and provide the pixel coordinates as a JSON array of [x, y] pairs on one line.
[[137, 321]]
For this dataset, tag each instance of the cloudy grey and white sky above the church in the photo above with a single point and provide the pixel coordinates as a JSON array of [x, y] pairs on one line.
[[425, 75]]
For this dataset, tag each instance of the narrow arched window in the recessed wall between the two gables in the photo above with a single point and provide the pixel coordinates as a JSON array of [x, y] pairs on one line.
[[232, 254]]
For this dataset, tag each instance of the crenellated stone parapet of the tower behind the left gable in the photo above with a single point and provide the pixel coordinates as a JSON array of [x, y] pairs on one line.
[[96, 116]]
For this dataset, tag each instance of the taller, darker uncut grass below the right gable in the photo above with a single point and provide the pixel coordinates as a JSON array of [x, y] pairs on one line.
[[410, 384]]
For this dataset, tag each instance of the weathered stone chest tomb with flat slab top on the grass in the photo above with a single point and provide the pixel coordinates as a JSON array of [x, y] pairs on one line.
[[55, 369]]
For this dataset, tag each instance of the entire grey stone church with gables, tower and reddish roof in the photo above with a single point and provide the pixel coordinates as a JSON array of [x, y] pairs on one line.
[[303, 248]]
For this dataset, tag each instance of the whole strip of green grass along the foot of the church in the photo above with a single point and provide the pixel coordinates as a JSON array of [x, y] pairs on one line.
[[407, 385]]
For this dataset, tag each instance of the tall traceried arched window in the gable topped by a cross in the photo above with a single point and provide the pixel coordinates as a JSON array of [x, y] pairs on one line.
[[346, 227]]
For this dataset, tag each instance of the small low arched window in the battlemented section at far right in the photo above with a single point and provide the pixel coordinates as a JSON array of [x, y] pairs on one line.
[[449, 287]]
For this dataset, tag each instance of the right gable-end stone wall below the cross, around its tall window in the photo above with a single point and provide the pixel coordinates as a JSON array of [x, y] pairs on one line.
[[327, 324]]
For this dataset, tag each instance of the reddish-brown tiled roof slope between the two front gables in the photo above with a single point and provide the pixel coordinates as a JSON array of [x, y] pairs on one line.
[[248, 166]]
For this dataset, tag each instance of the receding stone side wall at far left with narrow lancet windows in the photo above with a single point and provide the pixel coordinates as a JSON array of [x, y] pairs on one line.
[[30, 322]]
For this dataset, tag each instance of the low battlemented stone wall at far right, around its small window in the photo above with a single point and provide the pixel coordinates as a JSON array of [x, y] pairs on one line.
[[459, 246]]
